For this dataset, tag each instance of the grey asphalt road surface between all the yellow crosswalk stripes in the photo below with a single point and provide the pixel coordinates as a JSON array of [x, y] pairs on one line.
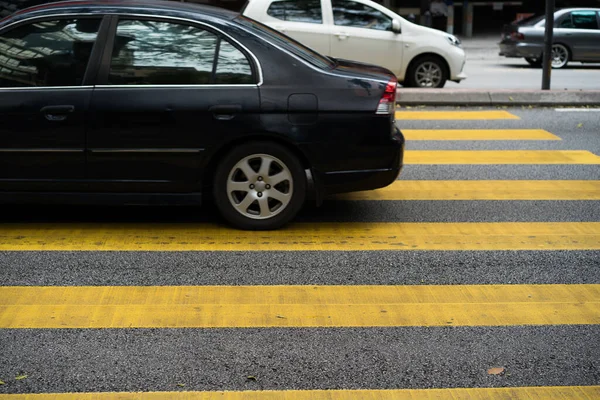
[[392, 357]]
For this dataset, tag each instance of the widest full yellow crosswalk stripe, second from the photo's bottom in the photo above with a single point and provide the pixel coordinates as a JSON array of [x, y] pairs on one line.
[[297, 306]]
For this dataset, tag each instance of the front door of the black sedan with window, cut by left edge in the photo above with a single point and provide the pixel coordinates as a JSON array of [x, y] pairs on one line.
[[43, 102]]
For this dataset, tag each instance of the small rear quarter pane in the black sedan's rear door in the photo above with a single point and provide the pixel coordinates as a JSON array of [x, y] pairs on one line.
[[232, 66]]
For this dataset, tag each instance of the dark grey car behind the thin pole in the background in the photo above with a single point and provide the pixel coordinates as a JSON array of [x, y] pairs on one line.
[[576, 38]]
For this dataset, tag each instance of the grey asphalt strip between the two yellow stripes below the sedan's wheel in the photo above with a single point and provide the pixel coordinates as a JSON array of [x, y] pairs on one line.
[[298, 268]]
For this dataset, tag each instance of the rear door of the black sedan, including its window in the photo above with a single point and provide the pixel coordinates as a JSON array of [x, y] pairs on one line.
[[167, 92]]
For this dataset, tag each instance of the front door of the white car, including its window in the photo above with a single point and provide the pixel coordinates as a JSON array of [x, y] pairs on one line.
[[363, 33]]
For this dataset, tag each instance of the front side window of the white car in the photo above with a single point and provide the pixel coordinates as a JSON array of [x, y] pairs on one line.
[[350, 13]]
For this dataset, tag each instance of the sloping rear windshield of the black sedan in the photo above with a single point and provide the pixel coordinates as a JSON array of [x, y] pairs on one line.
[[287, 43]]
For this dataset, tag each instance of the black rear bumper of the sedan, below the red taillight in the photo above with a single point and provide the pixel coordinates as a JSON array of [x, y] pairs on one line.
[[328, 183]]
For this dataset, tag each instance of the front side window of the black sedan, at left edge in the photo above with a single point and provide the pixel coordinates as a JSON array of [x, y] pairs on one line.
[[47, 53]]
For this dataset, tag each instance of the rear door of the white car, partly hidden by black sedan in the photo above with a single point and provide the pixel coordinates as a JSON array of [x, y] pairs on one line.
[[301, 20]]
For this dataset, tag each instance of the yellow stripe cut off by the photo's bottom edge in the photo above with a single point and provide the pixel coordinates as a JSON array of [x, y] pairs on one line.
[[513, 393]]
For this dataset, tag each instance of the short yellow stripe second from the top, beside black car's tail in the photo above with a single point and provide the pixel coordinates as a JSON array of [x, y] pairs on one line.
[[478, 134]]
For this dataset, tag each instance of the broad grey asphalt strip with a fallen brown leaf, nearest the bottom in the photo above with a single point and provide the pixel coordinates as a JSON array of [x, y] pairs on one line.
[[343, 358]]
